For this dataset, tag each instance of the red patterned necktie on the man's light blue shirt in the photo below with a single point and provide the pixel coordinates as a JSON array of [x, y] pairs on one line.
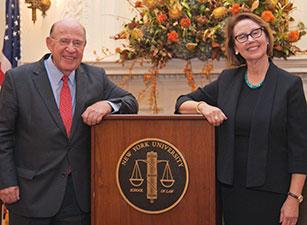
[[66, 105]]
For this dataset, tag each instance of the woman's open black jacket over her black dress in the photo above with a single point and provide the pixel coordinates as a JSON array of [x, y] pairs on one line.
[[278, 138]]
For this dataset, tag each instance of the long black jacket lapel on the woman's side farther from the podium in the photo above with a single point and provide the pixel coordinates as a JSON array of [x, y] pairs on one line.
[[260, 125]]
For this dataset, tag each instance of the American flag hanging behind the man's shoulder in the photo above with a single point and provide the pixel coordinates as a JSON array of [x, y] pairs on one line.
[[11, 42]]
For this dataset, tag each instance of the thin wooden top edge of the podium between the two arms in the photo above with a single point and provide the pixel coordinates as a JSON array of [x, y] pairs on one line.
[[154, 117]]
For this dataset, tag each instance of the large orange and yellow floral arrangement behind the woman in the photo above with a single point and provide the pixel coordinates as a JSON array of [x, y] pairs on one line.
[[165, 29]]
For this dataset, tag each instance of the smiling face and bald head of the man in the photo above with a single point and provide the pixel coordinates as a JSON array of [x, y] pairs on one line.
[[66, 44]]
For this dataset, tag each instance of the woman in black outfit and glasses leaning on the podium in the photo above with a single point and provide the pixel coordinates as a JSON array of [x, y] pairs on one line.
[[260, 115]]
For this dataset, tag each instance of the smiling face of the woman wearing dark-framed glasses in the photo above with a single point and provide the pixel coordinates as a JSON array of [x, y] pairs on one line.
[[254, 48]]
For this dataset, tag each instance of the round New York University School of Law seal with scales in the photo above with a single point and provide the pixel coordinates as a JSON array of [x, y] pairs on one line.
[[152, 175]]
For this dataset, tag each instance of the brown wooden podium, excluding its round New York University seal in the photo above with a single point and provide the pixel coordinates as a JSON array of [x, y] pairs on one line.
[[191, 135]]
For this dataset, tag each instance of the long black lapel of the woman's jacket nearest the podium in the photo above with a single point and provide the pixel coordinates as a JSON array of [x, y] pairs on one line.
[[228, 103]]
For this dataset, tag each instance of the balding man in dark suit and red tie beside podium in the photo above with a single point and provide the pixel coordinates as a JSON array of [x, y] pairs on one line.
[[45, 160]]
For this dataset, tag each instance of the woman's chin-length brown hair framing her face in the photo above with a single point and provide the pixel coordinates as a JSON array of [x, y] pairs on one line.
[[238, 60]]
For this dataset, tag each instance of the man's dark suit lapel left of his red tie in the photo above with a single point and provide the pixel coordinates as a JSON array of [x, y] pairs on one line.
[[43, 87]]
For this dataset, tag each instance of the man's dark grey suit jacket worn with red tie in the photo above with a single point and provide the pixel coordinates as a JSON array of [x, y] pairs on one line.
[[35, 151]]
